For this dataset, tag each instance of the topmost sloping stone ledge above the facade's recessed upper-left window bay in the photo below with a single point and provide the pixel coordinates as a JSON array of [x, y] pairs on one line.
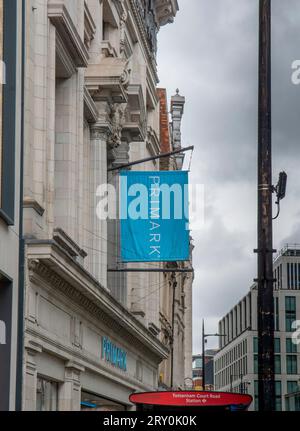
[[60, 18]]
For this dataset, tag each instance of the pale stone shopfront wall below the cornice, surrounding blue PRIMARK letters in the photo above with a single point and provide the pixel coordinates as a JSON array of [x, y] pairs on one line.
[[63, 344]]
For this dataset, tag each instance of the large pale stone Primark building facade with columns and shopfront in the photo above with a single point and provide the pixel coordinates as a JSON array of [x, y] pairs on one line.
[[92, 337]]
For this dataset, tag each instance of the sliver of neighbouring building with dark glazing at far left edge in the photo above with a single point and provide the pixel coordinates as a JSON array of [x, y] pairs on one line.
[[10, 172]]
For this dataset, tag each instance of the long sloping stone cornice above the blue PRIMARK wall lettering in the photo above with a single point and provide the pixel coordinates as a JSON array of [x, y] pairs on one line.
[[49, 262]]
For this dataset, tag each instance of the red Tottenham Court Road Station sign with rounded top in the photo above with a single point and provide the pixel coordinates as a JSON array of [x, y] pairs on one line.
[[192, 399]]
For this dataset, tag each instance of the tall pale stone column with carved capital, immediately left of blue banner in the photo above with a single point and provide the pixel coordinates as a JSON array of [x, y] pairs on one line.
[[98, 177]]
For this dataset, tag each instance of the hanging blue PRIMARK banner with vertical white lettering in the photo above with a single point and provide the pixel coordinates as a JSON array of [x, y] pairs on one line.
[[154, 216]]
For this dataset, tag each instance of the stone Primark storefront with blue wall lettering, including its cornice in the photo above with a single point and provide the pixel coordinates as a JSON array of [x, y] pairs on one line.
[[84, 350]]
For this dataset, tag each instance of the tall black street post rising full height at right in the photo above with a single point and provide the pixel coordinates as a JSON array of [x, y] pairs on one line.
[[266, 385]]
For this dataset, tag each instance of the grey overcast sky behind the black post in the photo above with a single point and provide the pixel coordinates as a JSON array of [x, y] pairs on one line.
[[210, 54]]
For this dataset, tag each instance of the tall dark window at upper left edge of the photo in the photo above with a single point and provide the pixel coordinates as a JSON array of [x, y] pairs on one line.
[[8, 52]]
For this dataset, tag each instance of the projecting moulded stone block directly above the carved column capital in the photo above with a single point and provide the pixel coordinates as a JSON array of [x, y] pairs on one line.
[[108, 79]]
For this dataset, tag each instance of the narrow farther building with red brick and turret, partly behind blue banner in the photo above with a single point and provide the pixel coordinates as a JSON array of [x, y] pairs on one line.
[[175, 313]]
